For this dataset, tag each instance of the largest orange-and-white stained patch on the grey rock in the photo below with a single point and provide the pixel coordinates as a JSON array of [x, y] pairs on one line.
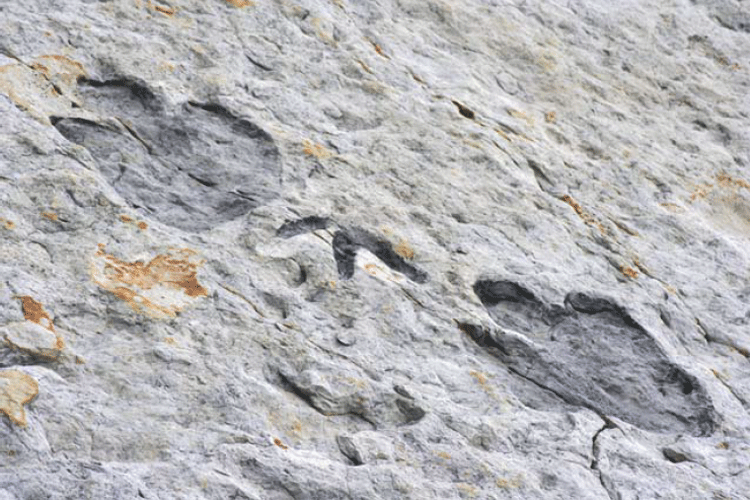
[[160, 288]]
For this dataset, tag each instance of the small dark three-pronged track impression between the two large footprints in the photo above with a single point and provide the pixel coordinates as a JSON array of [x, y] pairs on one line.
[[345, 244]]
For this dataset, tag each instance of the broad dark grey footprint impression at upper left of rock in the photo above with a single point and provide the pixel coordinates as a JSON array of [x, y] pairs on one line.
[[192, 167]]
